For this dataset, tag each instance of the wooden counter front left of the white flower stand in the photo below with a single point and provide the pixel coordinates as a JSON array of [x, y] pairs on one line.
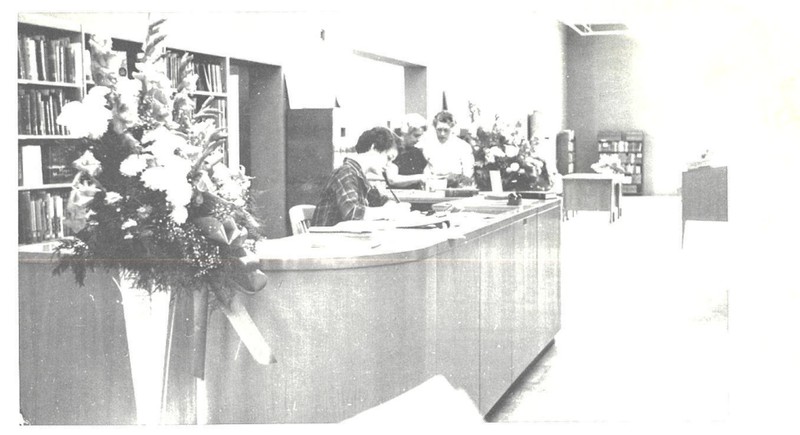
[[73, 354]]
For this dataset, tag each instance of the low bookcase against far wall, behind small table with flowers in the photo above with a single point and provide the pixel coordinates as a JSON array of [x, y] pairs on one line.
[[628, 146]]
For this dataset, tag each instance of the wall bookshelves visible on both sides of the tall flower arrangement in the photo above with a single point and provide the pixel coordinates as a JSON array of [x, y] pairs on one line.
[[53, 68]]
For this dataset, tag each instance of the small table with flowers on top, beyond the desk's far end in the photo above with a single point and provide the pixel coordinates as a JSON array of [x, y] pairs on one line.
[[593, 192]]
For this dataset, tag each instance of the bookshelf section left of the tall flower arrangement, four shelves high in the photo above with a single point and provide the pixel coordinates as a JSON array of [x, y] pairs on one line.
[[49, 75]]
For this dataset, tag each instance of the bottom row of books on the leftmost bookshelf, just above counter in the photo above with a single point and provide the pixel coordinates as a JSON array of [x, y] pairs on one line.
[[42, 216]]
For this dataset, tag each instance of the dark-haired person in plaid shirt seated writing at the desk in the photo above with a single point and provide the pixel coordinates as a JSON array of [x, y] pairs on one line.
[[348, 195]]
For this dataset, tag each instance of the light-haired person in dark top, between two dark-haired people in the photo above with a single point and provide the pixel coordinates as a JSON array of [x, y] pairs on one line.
[[407, 170]]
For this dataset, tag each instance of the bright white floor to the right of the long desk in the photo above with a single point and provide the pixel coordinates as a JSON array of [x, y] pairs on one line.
[[644, 333]]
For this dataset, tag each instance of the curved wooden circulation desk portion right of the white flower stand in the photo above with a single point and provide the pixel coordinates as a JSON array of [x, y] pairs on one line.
[[355, 321]]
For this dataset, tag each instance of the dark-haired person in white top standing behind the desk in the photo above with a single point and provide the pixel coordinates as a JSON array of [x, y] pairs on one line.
[[447, 154]]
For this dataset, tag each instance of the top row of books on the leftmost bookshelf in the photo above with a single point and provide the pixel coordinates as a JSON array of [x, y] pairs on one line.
[[48, 59]]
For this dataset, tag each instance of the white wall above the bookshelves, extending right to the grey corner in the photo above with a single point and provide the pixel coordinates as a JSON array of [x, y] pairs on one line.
[[509, 63]]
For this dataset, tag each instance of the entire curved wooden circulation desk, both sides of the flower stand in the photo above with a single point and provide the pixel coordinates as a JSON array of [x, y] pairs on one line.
[[353, 321]]
